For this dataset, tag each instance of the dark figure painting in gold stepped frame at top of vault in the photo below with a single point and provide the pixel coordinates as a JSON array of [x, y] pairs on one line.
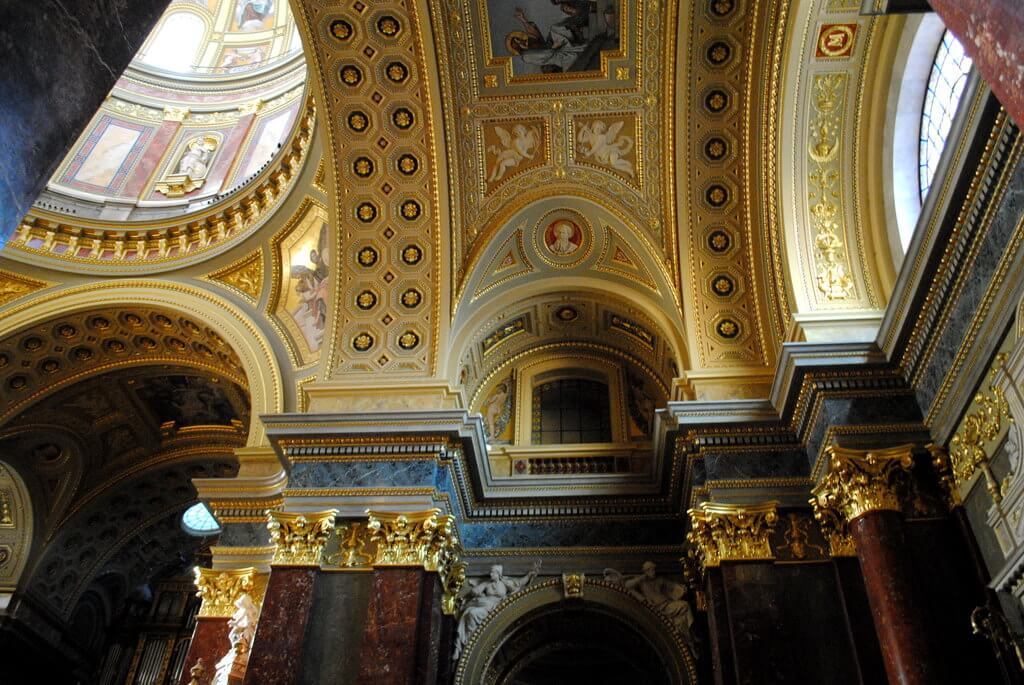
[[553, 36]]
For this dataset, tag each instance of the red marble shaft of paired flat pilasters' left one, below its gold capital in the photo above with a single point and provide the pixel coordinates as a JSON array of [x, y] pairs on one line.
[[277, 650]]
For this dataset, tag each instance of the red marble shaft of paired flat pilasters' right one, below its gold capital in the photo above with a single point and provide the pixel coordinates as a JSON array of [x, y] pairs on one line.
[[402, 643]]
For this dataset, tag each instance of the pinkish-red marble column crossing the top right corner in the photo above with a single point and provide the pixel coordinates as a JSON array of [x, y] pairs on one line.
[[993, 33]]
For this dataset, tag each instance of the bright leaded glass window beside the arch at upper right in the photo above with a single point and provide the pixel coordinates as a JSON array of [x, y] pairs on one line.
[[946, 87]]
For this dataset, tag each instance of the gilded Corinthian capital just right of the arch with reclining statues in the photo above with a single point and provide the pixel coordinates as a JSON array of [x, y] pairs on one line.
[[733, 533]]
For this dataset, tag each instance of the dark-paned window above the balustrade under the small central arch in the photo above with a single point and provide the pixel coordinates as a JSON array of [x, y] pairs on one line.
[[570, 411]]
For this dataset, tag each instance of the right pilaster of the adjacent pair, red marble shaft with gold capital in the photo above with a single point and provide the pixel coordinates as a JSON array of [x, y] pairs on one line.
[[417, 575]]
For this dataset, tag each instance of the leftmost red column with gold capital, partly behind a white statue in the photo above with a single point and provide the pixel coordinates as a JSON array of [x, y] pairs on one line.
[[220, 591]]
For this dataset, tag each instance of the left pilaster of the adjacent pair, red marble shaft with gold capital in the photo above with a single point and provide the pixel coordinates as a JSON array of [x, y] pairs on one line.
[[277, 651]]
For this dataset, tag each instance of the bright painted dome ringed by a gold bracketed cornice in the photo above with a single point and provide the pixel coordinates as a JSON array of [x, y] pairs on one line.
[[196, 143]]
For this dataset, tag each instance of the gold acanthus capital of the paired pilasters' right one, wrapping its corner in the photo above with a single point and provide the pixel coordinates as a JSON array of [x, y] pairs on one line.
[[429, 540]]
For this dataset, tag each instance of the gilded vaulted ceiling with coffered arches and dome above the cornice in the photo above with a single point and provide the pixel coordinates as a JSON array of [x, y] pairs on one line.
[[428, 204]]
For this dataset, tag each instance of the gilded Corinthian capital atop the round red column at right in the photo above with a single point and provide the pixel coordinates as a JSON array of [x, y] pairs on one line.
[[862, 481]]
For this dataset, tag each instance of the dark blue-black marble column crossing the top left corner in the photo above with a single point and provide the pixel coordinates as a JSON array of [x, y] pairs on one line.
[[60, 62]]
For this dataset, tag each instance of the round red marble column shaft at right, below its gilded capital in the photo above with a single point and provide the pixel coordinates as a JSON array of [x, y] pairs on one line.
[[899, 613]]
